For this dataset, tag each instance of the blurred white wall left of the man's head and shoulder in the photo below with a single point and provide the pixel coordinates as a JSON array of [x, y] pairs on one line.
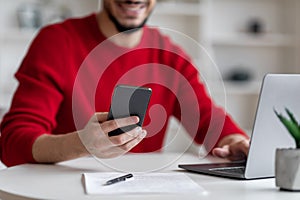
[[15, 40]]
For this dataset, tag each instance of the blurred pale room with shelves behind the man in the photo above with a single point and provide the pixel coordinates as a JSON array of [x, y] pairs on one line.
[[246, 39]]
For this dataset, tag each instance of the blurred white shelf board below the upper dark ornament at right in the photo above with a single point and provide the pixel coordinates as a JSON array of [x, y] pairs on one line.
[[251, 40]]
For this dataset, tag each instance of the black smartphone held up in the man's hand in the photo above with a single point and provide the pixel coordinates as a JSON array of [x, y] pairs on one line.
[[128, 101]]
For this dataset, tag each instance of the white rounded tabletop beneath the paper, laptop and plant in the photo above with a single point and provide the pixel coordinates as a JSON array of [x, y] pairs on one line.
[[64, 180]]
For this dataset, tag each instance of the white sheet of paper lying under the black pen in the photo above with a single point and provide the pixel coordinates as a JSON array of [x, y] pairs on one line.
[[140, 183]]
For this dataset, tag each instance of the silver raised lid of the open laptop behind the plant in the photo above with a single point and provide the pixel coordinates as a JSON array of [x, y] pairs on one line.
[[279, 91]]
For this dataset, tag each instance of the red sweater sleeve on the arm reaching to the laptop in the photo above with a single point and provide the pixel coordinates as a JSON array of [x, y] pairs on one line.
[[214, 123]]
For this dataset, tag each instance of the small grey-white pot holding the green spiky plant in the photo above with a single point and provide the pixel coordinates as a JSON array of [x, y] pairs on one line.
[[287, 169]]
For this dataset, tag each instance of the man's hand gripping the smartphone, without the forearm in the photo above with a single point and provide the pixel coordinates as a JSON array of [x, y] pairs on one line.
[[96, 140]]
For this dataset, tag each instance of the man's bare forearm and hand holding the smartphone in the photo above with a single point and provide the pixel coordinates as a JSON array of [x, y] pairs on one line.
[[56, 148]]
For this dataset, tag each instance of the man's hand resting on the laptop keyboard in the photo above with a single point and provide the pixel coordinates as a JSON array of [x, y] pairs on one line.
[[232, 147]]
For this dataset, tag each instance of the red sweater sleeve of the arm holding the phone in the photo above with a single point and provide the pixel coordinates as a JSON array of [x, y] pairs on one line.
[[36, 99]]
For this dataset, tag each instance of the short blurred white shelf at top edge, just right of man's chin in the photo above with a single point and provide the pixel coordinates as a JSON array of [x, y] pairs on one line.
[[179, 8]]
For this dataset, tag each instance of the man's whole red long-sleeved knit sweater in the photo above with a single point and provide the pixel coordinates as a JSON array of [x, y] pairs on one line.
[[66, 77]]
